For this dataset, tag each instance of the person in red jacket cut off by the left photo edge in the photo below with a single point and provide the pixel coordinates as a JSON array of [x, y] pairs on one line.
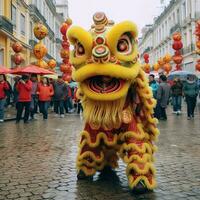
[[3, 88]]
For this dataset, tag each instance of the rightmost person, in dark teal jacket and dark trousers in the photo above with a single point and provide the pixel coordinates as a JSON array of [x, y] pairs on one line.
[[191, 91]]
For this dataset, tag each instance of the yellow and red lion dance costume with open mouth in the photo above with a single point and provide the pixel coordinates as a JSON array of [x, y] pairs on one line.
[[117, 102]]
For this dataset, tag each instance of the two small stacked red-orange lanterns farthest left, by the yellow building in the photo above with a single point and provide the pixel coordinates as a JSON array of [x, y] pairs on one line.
[[17, 58]]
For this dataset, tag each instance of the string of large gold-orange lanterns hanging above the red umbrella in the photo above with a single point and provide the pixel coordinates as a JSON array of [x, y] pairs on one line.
[[40, 50]]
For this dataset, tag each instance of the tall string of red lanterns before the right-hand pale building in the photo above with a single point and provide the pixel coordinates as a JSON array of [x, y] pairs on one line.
[[177, 46]]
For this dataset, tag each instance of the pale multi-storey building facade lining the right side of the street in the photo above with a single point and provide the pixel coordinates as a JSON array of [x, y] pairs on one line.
[[179, 15]]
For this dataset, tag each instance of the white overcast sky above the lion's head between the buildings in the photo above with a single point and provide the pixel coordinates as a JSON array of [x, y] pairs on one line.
[[141, 12]]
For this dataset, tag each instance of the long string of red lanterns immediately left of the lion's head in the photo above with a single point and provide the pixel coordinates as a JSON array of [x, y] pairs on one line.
[[65, 67]]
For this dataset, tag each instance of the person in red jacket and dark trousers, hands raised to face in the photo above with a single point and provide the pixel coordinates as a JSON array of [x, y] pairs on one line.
[[24, 87]]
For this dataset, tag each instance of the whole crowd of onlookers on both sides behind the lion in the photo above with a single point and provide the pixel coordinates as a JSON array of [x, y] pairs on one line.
[[33, 96]]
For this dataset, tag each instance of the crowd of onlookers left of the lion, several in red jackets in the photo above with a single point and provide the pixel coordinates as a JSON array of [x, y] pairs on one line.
[[33, 95]]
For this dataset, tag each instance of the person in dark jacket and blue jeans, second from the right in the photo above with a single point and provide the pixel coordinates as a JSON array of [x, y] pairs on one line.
[[177, 92]]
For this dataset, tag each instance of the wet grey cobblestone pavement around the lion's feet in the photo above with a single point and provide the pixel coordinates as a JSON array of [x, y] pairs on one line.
[[37, 161]]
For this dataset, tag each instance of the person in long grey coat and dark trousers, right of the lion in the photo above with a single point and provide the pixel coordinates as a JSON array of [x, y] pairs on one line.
[[162, 97]]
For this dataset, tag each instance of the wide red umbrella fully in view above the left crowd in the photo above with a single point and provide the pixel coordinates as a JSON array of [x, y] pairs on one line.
[[31, 69]]
